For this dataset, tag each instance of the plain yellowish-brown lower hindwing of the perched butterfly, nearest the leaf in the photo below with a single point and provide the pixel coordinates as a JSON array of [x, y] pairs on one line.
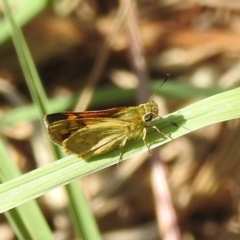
[[97, 137]]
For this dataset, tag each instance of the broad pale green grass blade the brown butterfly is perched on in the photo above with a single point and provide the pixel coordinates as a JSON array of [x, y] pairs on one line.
[[221, 107]]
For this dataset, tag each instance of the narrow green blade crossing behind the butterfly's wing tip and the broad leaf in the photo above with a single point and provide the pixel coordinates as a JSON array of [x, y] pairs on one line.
[[84, 220]]
